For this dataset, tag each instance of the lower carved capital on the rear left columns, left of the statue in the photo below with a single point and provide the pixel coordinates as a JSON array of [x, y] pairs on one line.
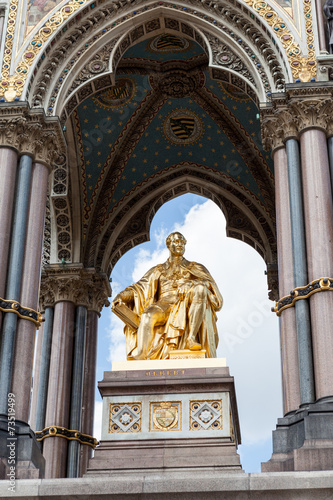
[[74, 283]]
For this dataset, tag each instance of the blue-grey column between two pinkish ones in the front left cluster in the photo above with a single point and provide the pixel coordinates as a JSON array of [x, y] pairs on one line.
[[14, 276]]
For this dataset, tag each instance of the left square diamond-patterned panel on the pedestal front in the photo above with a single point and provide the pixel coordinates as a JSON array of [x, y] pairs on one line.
[[125, 417]]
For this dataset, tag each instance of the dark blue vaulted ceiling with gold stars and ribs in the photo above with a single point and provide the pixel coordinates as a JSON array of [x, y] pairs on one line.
[[137, 132]]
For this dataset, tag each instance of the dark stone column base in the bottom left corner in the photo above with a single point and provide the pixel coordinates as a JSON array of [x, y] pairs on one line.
[[20, 455]]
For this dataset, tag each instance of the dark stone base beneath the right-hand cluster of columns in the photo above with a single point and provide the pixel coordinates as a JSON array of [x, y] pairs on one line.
[[303, 441]]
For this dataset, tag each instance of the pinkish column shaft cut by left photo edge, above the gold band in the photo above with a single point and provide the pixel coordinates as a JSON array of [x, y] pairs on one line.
[[8, 168]]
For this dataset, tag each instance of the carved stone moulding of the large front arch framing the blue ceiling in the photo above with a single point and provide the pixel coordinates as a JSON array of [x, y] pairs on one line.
[[69, 48]]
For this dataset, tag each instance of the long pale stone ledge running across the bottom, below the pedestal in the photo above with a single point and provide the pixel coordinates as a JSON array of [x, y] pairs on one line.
[[173, 485]]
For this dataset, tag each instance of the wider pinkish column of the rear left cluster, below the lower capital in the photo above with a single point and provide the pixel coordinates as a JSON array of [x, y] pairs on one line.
[[59, 388]]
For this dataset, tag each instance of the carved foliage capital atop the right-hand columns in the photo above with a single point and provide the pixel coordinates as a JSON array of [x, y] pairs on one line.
[[298, 109]]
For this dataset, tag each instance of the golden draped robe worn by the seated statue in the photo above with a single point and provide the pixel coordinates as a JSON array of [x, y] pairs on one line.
[[173, 334]]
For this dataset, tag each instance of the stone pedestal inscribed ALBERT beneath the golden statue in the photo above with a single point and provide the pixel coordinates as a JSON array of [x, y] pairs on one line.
[[176, 414]]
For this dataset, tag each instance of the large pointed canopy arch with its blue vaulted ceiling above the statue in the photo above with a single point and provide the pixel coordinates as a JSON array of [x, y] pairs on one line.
[[171, 76]]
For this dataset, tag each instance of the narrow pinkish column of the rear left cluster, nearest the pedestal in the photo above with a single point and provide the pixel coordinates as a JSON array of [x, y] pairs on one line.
[[89, 387]]
